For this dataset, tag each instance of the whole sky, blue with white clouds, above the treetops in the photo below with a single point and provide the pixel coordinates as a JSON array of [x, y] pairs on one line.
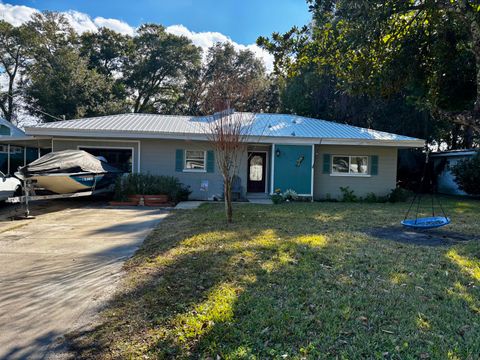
[[203, 21]]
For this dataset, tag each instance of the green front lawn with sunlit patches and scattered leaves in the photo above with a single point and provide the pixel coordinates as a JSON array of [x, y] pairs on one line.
[[295, 281]]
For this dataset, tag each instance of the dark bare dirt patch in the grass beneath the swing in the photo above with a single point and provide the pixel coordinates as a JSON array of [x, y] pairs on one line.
[[433, 237]]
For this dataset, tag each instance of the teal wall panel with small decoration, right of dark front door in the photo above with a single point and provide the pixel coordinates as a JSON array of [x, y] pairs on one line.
[[293, 168]]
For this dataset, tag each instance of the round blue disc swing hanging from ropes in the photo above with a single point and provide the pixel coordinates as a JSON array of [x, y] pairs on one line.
[[429, 222]]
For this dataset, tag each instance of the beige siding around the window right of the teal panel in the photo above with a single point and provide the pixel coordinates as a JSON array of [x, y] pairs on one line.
[[326, 185]]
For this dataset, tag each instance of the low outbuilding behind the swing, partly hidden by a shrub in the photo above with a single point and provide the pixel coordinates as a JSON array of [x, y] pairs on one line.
[[443, 162]]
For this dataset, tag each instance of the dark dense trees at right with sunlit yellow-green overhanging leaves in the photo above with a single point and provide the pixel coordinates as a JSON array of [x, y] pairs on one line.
[[411, 67]]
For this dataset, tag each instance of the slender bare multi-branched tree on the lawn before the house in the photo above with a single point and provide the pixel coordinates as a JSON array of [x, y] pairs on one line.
[[228, 133]]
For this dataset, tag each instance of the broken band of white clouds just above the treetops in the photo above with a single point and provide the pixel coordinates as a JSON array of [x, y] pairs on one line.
[[81, 22]]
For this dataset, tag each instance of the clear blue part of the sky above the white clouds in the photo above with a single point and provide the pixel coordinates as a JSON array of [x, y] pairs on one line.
[[241, 20]]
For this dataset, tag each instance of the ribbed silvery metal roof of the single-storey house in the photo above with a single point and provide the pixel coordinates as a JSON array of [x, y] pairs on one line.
[[260, 125]]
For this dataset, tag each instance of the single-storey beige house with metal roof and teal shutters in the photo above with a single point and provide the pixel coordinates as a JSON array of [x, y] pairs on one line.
[[313, 157]]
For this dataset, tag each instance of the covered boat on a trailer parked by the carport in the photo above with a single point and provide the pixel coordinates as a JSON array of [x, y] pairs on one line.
[[70, 171]]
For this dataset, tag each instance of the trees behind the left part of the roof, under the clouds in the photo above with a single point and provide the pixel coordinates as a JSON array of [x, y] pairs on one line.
[[56, 73]]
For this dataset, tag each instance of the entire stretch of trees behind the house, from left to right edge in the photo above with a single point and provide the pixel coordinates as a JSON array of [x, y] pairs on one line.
[[409, 67]]
